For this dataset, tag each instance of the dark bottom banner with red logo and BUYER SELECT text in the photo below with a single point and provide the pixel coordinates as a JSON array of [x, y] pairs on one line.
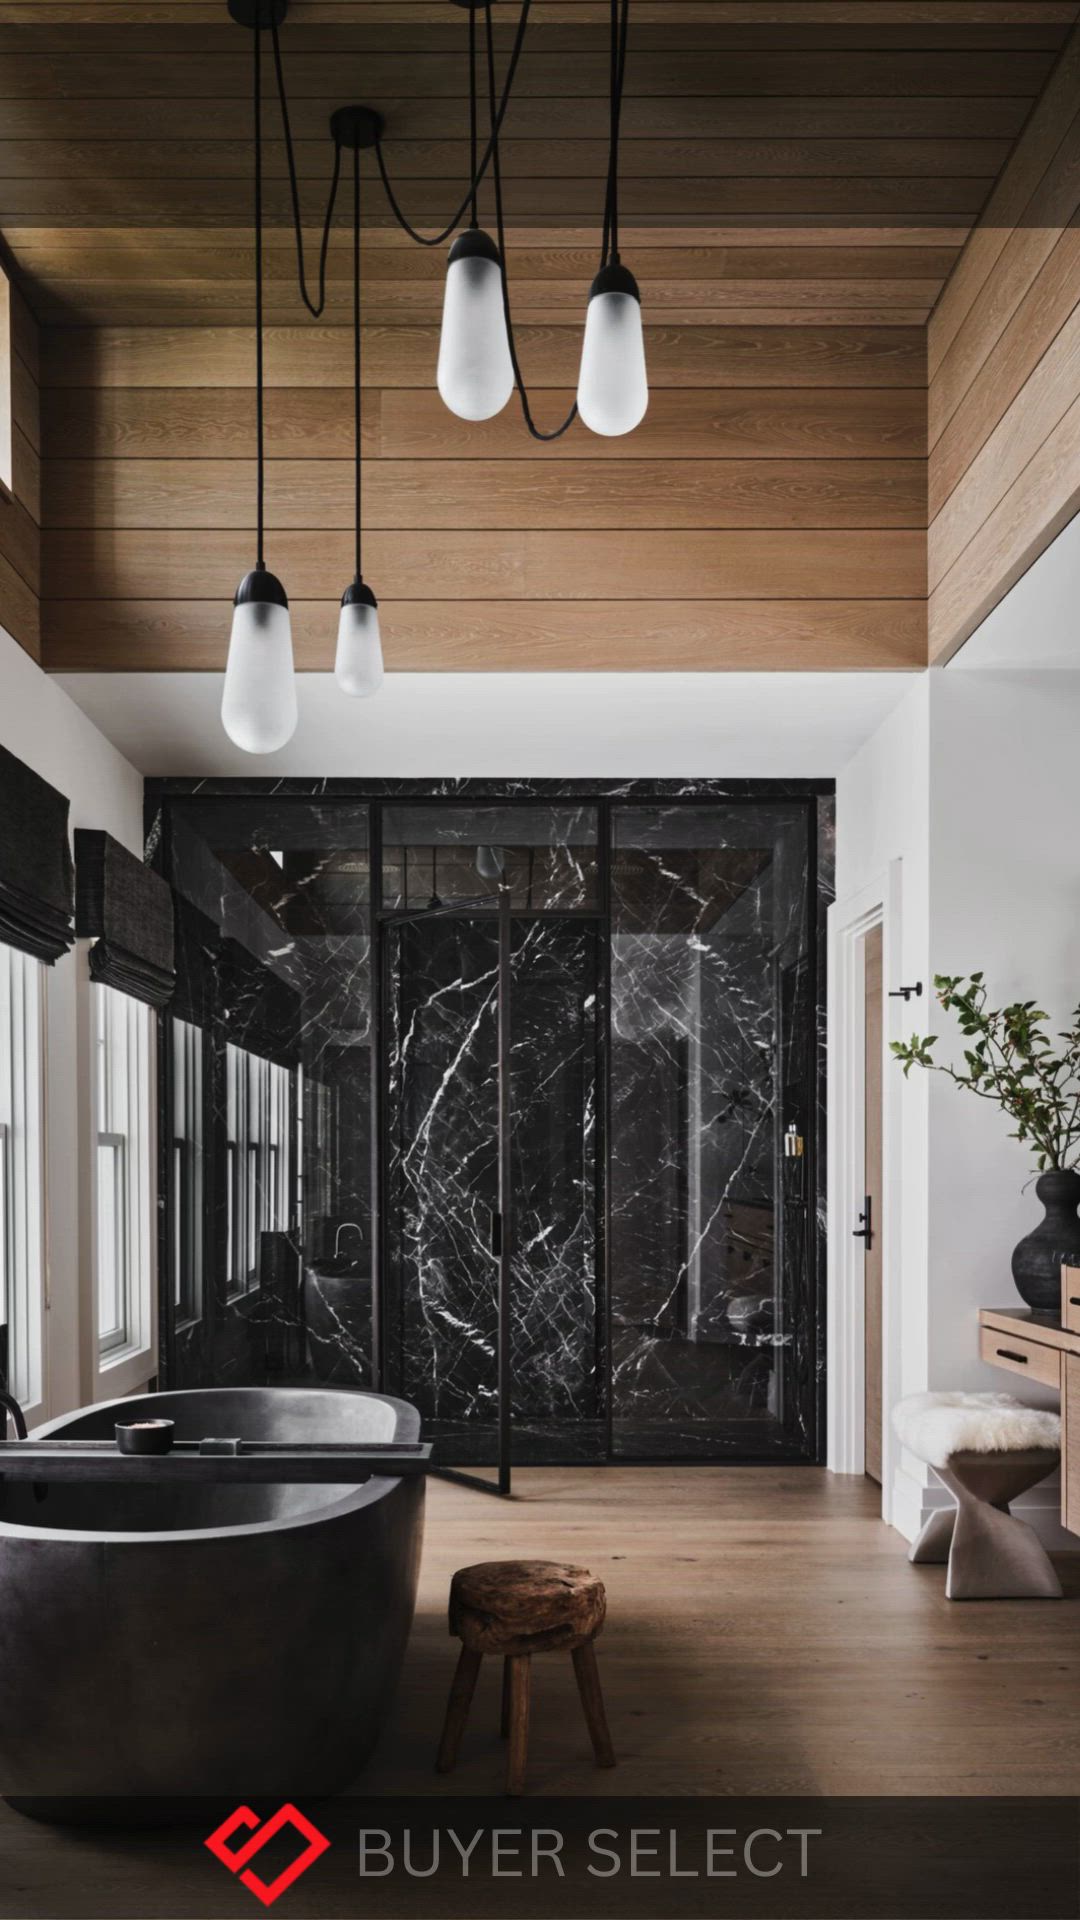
[[443, 1858]]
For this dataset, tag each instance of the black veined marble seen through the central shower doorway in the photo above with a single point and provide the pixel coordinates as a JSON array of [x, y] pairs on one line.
[[443, 1180]]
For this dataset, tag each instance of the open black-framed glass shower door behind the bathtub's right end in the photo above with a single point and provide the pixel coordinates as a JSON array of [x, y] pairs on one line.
[[449, 1195]]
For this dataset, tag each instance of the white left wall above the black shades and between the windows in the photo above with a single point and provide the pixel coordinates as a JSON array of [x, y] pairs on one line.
[[51, 734]]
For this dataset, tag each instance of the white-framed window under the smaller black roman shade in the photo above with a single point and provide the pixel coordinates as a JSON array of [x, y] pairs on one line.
[[124, 1195]]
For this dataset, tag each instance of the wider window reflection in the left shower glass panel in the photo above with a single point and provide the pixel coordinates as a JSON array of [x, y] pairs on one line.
[[257, 1161]]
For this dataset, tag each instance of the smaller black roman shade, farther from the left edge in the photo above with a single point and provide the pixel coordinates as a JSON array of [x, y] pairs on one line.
[[128, 911]]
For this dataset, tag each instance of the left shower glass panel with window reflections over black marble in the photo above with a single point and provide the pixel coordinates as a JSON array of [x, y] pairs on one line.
[[276, 959]]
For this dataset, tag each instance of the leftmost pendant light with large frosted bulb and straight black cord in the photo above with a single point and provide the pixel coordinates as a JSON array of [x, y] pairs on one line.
[[258, 706]]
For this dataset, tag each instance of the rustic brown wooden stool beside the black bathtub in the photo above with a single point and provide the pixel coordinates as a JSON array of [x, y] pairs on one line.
[[518, 1610]]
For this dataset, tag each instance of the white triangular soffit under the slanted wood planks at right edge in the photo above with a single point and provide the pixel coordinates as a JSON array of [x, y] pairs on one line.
[[1039, 623]]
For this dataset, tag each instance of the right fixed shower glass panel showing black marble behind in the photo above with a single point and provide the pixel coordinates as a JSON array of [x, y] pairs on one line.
[[712, 1065]]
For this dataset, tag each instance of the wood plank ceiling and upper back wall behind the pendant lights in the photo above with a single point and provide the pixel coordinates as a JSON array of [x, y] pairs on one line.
[[798, 181]]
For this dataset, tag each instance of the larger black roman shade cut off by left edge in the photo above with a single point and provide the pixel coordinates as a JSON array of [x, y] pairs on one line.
[[37, 892]]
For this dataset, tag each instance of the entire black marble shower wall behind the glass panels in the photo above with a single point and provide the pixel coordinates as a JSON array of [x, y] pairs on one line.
[[666, 1036]]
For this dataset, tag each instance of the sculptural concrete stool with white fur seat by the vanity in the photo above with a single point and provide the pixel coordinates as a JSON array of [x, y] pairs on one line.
[[989, 1451]]
